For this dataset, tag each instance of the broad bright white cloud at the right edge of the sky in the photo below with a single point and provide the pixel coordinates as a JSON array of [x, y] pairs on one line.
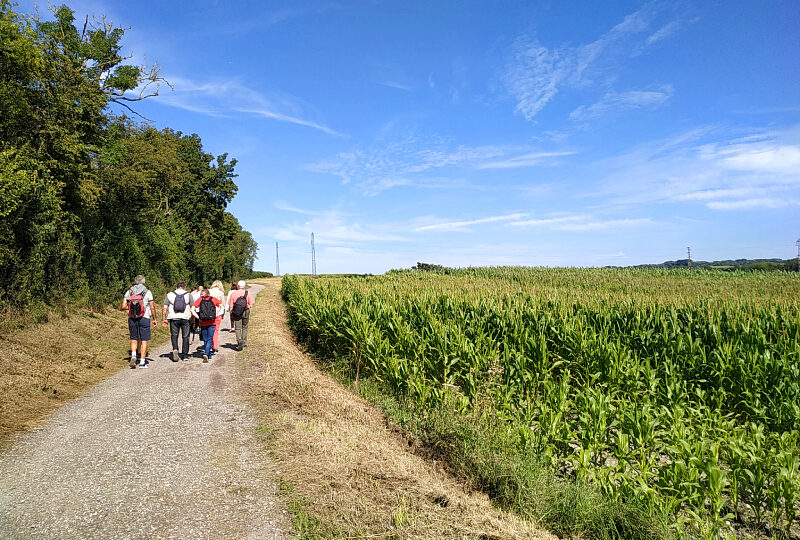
[[757, 170]]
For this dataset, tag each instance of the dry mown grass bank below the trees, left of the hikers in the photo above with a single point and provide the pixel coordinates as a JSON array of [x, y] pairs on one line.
[[46, 364]]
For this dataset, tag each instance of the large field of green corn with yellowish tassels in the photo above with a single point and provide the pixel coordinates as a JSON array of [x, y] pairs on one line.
[[678, 390]]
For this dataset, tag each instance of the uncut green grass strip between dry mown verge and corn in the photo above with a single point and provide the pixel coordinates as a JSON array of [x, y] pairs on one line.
[[486, 455]]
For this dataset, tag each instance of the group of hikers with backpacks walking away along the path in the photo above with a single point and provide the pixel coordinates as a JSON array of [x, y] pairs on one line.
[[186, 313]]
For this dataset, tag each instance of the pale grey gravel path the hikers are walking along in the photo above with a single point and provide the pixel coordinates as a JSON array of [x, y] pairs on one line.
[[166, 452]]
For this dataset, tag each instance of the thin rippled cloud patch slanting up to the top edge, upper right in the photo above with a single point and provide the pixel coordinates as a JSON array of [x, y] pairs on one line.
[[536, 73]]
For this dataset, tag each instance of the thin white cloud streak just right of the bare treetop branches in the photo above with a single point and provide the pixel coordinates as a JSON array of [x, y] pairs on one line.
[[228, 98]]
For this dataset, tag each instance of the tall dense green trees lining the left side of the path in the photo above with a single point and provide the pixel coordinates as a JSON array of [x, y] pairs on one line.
[[88, 199]]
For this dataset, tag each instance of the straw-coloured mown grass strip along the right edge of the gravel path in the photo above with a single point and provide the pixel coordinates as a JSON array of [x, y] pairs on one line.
[[345, 471]]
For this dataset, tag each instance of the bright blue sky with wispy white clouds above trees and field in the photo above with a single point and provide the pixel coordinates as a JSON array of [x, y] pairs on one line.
[[488, 133]]
